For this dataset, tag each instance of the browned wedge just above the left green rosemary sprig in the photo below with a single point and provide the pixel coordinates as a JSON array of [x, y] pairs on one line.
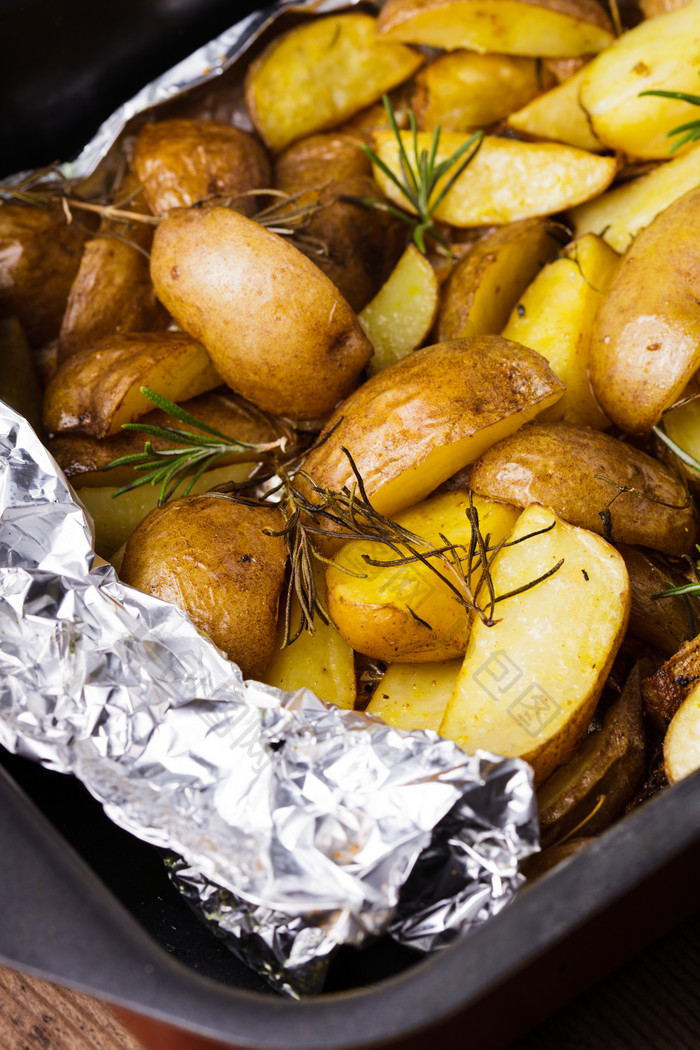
[[99, 388]]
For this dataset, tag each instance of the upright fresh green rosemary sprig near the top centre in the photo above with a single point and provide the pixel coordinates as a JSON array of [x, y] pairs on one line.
[[420, 178]]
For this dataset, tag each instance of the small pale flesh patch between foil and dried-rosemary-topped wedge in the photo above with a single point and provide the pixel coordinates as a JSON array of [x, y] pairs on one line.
[[414, 697]]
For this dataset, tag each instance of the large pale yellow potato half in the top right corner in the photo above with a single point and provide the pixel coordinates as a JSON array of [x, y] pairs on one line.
[[662, 54]]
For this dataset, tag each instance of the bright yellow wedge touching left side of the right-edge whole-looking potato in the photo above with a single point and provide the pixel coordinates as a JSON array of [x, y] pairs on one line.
[[556, 317]]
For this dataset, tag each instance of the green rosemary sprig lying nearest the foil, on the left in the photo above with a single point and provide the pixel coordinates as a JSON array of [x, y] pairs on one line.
[[192, 455]]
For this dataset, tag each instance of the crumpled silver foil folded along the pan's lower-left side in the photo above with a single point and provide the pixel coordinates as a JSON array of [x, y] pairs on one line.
[[300, 825]]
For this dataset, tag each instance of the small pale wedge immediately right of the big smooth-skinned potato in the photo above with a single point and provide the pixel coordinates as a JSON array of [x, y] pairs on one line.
[[400, 317]]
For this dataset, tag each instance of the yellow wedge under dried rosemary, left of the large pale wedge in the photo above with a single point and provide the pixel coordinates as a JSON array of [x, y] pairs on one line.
[[409, 613]]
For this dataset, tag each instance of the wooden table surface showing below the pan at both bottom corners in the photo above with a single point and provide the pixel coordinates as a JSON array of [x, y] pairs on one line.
[[652, 1003]]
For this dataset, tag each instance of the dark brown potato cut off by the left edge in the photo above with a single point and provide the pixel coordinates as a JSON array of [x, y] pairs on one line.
[[40, 254]]
